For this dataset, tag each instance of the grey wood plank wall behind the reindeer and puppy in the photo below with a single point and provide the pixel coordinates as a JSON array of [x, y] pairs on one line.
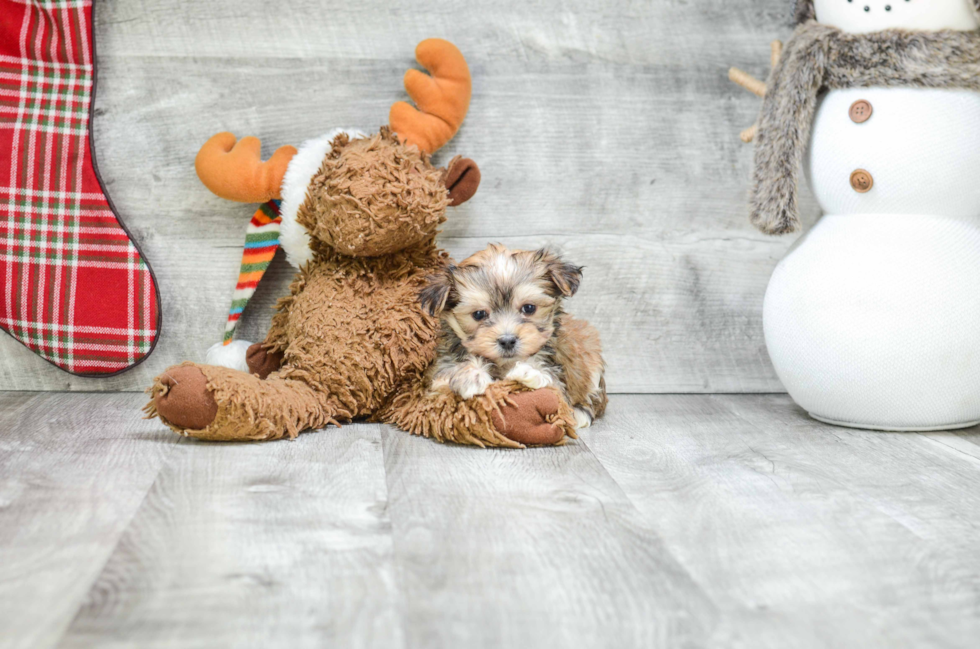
[[607, 127]]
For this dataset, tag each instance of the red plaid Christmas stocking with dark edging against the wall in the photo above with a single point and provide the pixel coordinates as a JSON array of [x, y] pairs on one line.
[[73, 286]]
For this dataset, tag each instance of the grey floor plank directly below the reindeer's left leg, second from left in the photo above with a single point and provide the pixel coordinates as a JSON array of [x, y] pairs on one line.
[[262, 545]]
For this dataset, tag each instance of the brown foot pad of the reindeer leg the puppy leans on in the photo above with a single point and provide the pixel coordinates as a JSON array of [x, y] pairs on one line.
[[531, 418]]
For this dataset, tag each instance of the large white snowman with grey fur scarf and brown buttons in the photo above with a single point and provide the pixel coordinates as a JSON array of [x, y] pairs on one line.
[[872, 320]]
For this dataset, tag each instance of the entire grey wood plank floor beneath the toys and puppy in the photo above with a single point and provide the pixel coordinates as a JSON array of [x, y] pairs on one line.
[[694, 521]]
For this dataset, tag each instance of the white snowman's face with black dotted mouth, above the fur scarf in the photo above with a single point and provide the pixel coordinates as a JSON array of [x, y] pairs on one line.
[[864, 16]]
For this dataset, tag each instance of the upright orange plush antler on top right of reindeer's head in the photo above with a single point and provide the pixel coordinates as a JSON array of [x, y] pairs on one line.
[[442, 98]]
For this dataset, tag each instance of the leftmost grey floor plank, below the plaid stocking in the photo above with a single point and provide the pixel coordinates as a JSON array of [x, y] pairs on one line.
[[74, 470]]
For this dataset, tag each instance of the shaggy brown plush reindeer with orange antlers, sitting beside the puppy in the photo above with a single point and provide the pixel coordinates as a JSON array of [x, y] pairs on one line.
[[351, 341]]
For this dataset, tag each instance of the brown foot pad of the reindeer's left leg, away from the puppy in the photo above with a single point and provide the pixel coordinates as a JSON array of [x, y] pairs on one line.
[[183, 400]]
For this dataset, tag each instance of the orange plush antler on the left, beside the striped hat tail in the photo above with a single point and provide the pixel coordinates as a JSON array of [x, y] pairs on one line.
[[234, 170]]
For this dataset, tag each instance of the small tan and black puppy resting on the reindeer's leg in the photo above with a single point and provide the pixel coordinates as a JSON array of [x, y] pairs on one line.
[[502, 318]]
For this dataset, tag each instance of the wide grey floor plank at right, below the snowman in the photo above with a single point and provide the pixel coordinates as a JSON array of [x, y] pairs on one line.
[[805, 535]]
